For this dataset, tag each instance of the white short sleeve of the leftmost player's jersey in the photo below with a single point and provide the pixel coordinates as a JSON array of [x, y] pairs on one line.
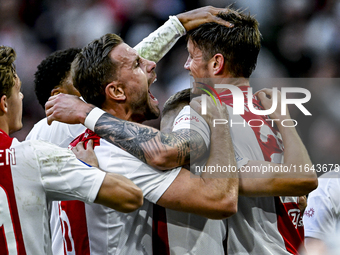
[[64, 177]]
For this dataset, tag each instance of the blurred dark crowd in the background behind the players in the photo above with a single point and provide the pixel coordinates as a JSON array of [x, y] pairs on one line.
[[300, 42]]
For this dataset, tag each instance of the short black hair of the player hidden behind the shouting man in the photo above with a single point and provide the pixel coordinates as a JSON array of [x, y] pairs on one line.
[[52, 71]]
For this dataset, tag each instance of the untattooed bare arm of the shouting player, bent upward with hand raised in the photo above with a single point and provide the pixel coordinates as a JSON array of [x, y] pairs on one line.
[[213, 194]]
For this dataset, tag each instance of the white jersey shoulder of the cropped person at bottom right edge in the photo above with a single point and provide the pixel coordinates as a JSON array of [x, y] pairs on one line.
[[322, 214]]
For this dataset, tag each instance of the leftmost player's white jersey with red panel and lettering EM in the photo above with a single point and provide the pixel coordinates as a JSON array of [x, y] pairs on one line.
[[33, 174]]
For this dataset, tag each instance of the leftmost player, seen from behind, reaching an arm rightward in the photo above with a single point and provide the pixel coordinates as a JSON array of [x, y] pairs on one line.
[[34, 173]]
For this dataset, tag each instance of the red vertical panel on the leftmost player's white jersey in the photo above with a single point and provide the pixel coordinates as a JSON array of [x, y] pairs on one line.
[[9, 216]]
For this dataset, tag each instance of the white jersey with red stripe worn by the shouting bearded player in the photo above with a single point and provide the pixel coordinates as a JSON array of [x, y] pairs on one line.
[[95, 229]]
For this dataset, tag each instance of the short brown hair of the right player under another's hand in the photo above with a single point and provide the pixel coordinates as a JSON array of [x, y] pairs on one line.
[[239, 45]]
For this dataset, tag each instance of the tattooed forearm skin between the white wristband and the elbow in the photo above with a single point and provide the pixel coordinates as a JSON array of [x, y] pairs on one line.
[[145, 142]]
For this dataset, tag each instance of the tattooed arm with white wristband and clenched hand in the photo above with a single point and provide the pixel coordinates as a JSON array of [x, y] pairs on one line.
[[157, 149]]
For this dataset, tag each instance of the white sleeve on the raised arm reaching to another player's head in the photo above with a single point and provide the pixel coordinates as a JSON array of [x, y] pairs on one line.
[[159, 42]]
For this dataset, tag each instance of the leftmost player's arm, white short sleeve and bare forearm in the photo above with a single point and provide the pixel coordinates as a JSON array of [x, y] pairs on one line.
[[64, 177]]
